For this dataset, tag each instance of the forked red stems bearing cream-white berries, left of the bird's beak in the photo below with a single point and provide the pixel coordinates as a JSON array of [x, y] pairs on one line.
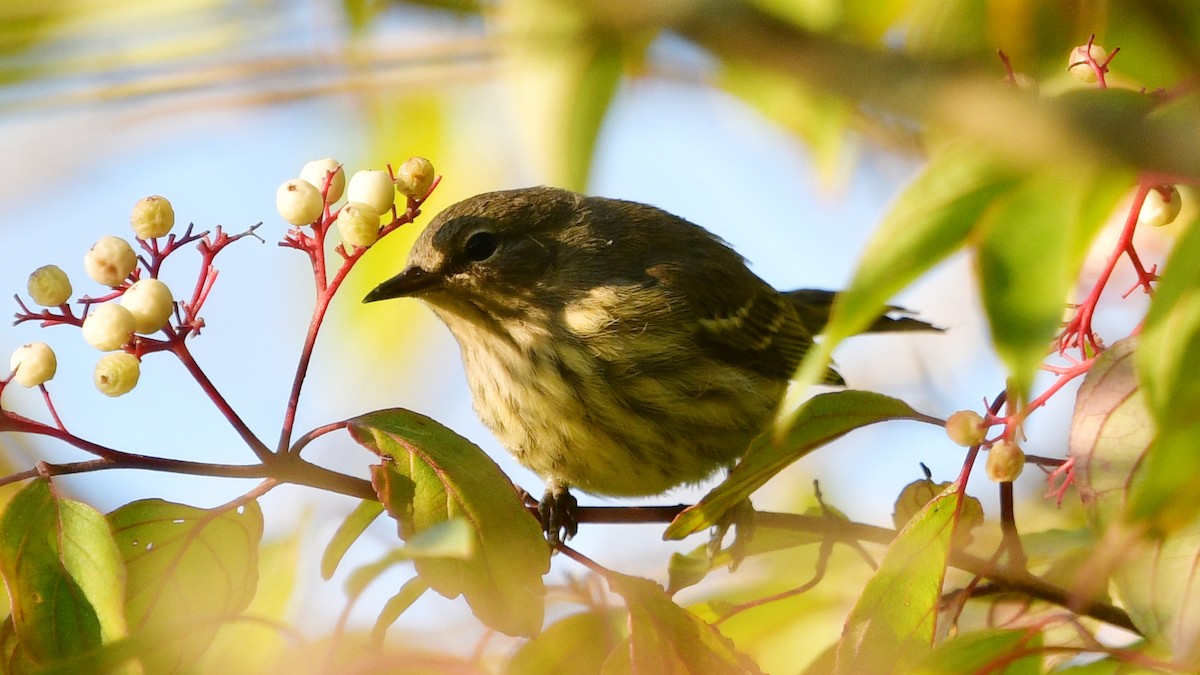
[[139, 314]]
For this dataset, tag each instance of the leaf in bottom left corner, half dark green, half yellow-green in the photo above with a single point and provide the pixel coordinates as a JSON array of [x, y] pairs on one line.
[[63, 574]]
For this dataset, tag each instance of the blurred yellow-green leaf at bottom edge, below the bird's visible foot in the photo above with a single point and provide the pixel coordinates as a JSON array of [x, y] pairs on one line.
[[578, 644]]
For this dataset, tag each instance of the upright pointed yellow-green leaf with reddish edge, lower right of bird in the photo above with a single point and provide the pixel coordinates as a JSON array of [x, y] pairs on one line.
[[893, 624]]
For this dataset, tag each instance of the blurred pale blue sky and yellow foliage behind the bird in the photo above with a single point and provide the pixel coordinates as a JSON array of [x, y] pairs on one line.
[[791, 154]]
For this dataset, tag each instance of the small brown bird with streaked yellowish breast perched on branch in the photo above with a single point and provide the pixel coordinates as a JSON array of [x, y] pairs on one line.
[[609, 345]]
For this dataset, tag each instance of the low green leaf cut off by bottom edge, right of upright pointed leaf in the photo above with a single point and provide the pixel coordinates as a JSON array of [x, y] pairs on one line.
[[985, 652]]
